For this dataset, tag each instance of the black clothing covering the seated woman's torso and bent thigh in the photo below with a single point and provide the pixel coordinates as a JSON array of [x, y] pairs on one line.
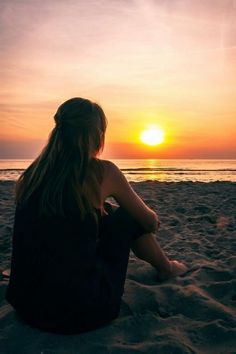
[[68, 275]]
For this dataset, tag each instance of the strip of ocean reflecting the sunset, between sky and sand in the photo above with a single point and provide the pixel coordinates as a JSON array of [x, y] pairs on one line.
[[150, 169]]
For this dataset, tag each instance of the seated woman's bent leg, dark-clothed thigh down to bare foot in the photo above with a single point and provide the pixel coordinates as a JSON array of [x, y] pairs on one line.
[[120, 233]]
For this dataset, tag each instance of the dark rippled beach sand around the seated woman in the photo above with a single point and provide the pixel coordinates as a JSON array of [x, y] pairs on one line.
[[191, 314]]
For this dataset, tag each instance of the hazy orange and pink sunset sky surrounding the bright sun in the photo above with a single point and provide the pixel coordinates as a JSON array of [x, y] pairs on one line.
[[166, 62]]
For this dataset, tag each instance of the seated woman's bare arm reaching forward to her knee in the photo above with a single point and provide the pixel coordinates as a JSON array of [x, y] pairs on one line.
[[116, 185]]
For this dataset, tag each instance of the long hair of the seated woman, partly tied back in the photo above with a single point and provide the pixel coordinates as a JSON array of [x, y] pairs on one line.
[[67, 175]]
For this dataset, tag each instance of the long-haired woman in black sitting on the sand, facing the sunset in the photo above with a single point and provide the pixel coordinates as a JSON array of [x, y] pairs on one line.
[[70, 248]]
